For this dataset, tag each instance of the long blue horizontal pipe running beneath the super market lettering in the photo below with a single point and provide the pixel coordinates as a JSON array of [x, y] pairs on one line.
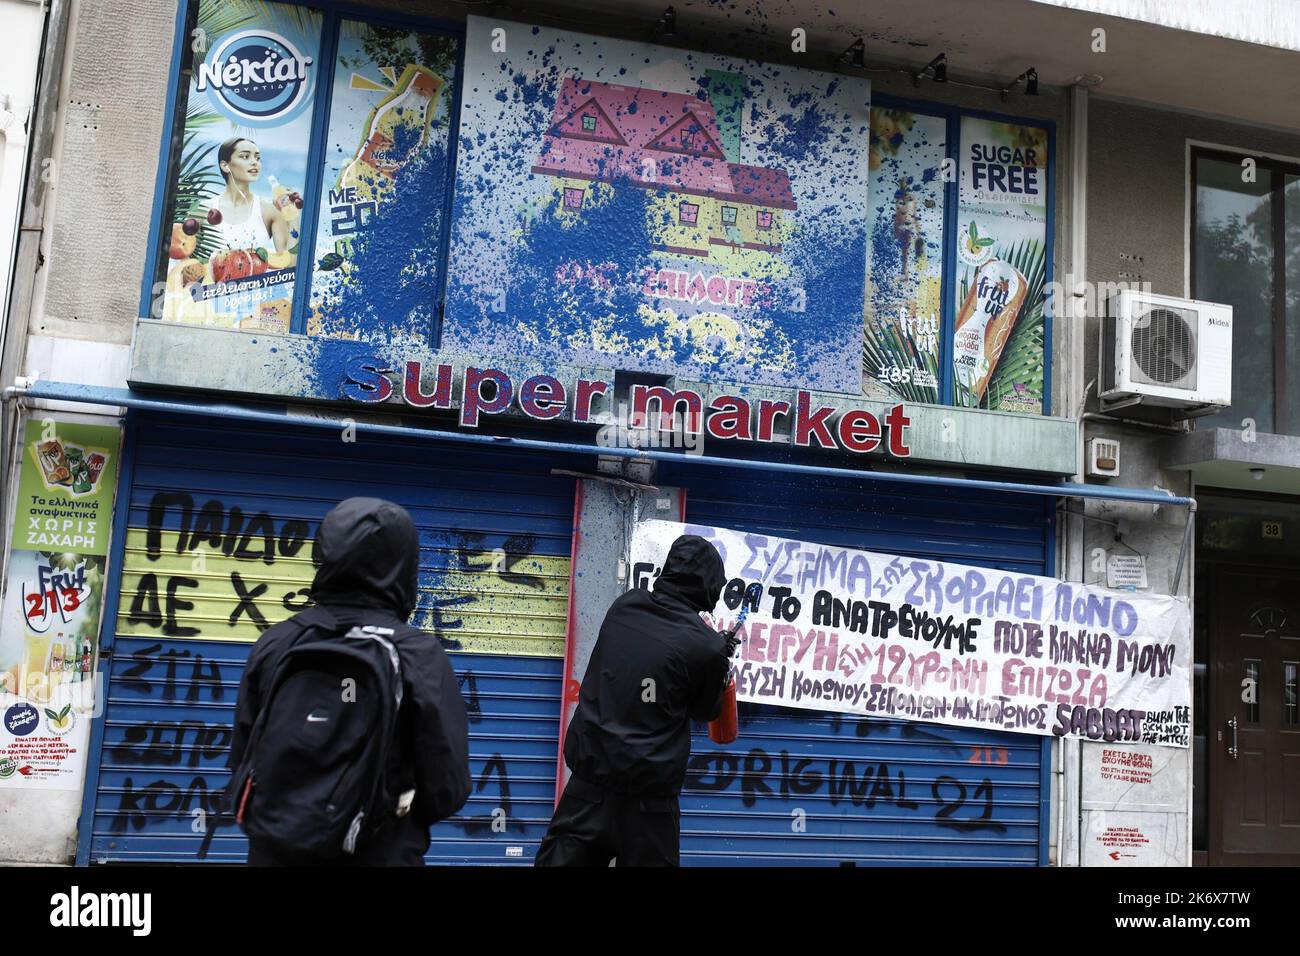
[[94, 395]]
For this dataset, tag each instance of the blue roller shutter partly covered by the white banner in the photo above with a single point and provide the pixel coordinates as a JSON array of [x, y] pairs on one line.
[[807, 789]]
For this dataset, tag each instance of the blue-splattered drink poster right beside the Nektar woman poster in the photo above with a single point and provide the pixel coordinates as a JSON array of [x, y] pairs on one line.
[[379, 243]]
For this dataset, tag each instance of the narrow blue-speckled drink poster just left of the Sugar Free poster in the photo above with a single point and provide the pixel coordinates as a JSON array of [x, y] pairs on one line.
[[904, 308]]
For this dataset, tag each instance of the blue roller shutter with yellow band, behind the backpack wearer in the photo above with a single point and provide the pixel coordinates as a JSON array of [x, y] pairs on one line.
[[496, 531]]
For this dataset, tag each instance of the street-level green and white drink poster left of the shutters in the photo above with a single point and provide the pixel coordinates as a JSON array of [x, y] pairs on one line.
[[54, 600]]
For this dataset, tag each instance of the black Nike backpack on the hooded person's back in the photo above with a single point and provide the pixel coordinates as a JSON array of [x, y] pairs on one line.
[[313, 781]]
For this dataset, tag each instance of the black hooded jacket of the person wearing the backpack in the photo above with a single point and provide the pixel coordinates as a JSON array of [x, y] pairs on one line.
[[370, 557]]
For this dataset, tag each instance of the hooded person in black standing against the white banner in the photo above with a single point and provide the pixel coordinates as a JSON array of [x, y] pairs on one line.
[[656, 668]]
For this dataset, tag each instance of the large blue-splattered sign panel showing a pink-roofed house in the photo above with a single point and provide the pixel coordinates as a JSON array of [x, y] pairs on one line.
[[584, 249]]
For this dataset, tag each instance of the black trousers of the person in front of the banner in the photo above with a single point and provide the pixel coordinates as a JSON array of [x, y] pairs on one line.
[[593, 827]]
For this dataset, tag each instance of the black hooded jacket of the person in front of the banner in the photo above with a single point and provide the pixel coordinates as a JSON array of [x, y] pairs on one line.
[[656, 668]]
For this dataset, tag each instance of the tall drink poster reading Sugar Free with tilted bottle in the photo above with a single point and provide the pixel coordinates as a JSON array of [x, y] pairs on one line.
[[1002, 267]]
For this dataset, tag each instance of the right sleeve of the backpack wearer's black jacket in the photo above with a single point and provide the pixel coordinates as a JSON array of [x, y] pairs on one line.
[[440, 730]]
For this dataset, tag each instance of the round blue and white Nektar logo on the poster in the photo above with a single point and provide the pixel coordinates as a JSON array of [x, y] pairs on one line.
[[257, 77]]
